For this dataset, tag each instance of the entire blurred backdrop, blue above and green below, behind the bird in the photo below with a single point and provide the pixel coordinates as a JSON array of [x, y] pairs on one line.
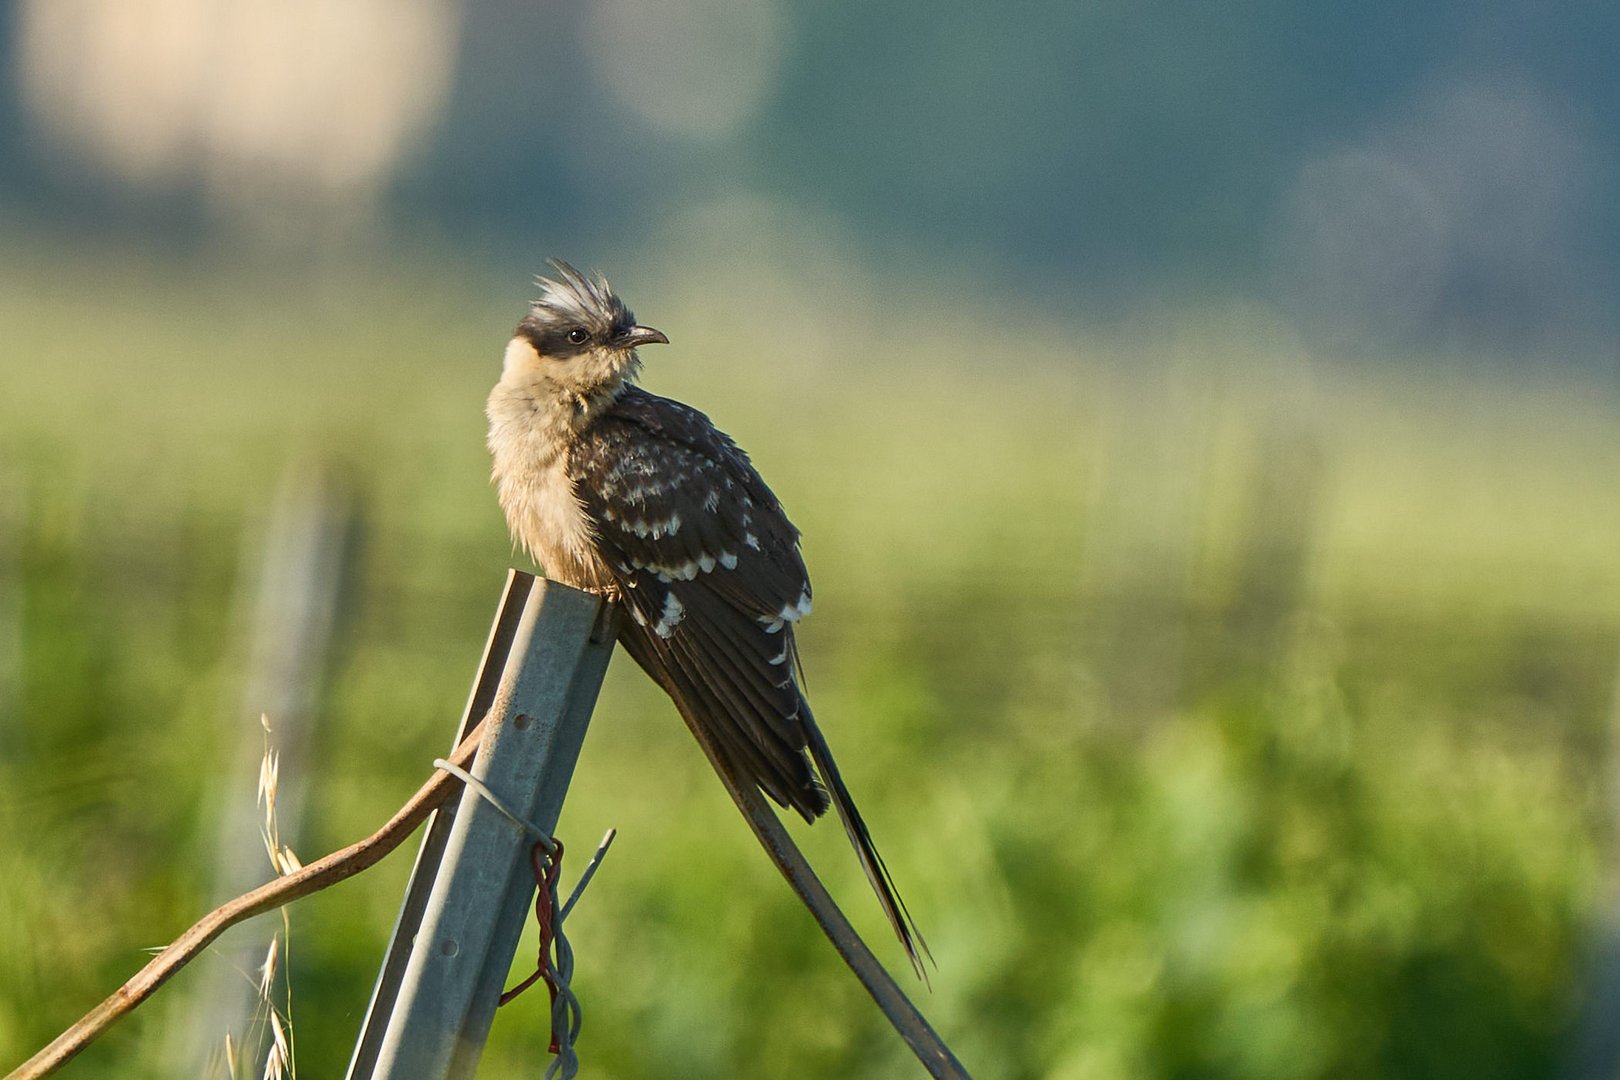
[[1204, 432]]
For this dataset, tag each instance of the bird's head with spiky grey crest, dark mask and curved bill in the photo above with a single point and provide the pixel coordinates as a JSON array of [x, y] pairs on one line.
[[579, 339]]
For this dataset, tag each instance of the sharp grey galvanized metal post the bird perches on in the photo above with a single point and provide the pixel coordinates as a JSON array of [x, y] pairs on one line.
[[472, 887]]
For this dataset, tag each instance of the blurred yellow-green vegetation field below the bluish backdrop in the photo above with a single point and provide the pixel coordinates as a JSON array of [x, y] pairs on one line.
[[1221, 713]]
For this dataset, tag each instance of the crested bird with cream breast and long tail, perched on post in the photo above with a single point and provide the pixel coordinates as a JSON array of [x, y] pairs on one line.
[[644, 501]]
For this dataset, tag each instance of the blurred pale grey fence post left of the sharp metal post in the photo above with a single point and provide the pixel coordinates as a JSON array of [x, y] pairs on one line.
[[309, 555]]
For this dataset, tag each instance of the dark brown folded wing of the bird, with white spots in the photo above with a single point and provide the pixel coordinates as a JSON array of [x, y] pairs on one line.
[[710, 574]]
